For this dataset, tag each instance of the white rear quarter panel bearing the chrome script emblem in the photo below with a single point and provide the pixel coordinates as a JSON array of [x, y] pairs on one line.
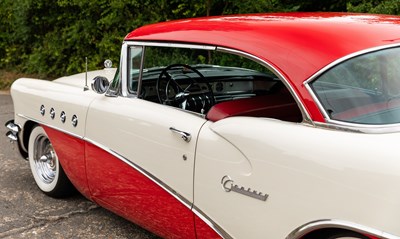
[[302, 186]]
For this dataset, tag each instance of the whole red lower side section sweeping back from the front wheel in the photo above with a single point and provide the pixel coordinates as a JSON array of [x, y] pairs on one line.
[[119, 187]]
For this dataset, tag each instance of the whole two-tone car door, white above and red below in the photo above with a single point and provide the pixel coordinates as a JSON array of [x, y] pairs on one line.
[[139, 164]]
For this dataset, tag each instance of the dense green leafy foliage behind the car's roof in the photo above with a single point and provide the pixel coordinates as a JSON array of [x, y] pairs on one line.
[[53, 37]]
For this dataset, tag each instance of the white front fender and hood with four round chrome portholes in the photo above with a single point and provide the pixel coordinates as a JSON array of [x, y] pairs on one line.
[[64, 94]]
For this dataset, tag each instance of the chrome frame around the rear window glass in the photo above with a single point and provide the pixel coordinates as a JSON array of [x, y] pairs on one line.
[[341, 125]]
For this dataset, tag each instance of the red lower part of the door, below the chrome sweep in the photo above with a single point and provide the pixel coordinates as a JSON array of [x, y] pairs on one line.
[[120, 188]]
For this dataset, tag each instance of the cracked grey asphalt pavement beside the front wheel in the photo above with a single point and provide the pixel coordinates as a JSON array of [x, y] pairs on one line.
[[28, 213]]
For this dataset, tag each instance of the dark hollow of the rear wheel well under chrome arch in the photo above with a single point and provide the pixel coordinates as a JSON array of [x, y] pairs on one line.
[[328, 233]]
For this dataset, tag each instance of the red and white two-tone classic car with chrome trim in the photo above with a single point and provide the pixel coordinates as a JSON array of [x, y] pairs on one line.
[[244, 126]]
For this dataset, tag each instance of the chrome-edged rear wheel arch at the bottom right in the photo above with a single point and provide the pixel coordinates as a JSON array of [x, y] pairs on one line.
[[328, 227]]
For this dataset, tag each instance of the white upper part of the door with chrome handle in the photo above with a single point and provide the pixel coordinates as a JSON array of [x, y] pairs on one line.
[[134, 128]]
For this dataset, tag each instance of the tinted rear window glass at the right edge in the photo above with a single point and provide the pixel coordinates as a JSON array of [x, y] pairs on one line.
[[363, 90]]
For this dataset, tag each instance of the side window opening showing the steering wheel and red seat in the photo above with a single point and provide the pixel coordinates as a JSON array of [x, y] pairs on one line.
[[206, 81]]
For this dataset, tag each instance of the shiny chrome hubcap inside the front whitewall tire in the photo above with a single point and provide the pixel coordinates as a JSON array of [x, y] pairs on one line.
[[44, 159]]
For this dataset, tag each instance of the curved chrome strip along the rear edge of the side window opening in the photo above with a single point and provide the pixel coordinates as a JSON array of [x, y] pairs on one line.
[[304, 112]]
